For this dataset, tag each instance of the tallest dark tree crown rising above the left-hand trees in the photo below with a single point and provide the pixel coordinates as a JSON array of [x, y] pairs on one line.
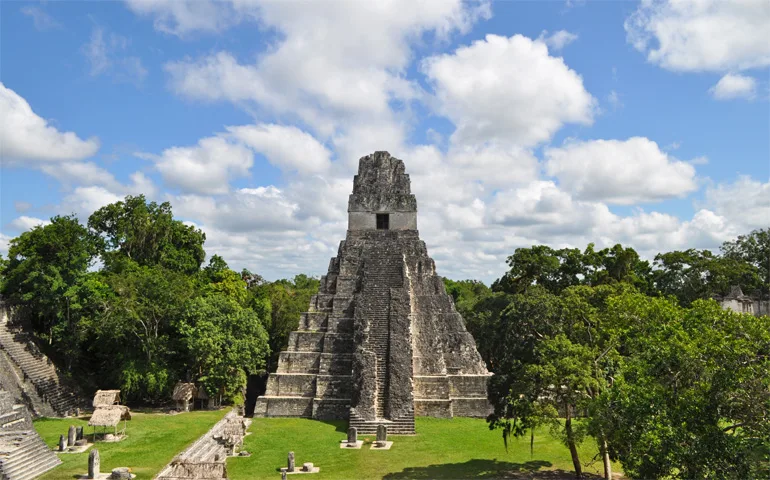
[[147, 234]]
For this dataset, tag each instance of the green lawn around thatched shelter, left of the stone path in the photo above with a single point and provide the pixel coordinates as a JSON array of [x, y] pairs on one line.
[[153, 440]]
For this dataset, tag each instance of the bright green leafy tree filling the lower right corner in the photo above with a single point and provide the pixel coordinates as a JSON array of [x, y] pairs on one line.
[[692, 399]]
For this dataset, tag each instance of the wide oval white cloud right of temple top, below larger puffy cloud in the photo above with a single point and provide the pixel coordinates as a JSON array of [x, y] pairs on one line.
[[619, 171]]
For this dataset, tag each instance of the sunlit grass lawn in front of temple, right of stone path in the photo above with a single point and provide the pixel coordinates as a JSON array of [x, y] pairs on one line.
[[456, 448]]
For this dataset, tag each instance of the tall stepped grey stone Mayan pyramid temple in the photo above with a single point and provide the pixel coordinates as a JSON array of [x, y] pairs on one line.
[[381, 341]]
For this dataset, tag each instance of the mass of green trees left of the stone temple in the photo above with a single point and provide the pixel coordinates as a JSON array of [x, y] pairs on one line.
[[150, 316]]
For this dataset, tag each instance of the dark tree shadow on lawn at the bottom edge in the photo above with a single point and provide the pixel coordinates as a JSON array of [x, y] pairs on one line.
[[478, 468]]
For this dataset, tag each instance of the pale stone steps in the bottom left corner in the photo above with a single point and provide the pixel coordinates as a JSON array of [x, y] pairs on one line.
[[23, 454]]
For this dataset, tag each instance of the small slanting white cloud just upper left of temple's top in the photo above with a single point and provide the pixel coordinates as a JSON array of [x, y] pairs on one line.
[[286, 147]]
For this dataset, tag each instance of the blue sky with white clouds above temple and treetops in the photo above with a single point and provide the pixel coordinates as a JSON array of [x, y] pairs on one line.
[[562, 123]]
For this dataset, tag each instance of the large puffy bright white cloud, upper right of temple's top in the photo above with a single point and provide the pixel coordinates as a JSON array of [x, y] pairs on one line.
[[508, 90]]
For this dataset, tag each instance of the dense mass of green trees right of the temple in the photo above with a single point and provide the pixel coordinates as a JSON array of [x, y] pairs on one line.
[[669, 384]]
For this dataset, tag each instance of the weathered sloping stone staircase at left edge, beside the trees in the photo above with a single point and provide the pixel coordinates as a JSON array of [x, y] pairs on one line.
[[32, 367]]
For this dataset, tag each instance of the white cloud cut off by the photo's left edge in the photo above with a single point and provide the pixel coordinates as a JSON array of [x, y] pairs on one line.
[[25, 137]]
